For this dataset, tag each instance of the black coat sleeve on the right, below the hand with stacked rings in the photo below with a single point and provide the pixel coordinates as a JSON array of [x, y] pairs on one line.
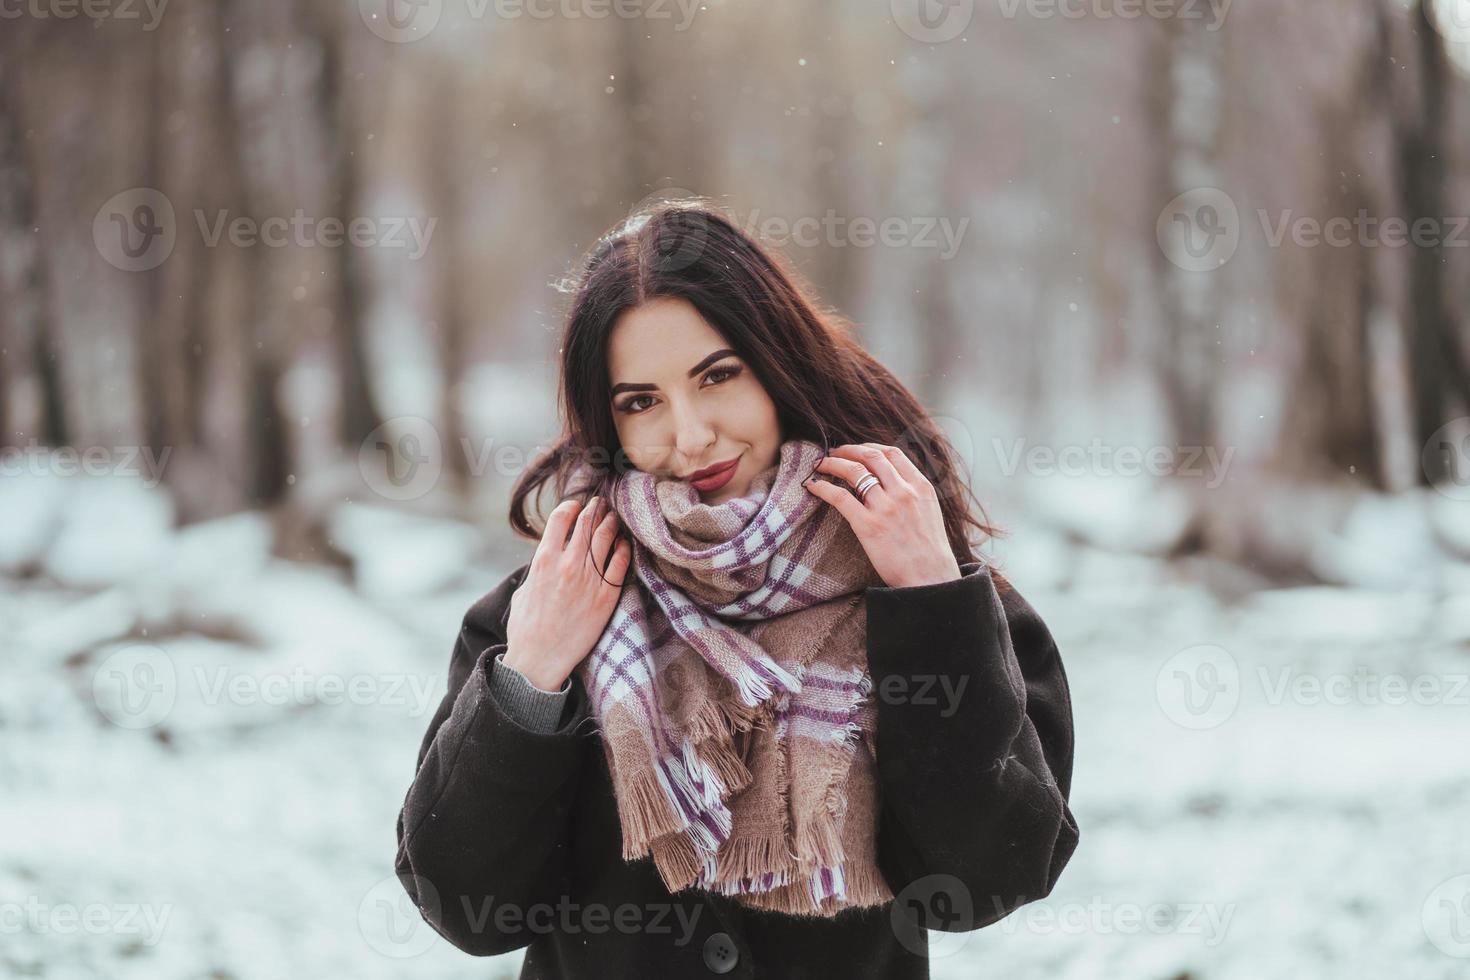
[[974, 750]]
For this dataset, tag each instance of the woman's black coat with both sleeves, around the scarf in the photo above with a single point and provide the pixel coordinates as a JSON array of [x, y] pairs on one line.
[[511, 840]]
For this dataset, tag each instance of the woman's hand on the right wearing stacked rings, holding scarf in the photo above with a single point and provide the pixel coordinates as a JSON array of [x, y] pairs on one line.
[[899, 524]]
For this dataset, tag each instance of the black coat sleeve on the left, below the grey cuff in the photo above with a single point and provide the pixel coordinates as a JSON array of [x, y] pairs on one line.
[[484, 834]]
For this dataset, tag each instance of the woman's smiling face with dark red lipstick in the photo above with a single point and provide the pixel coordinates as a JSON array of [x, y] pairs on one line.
[[684, 402]]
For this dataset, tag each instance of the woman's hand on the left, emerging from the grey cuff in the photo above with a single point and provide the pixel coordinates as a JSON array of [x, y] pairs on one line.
[[562, 608]]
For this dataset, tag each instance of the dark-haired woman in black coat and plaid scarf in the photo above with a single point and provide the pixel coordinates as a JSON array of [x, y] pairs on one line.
[[755, 706]]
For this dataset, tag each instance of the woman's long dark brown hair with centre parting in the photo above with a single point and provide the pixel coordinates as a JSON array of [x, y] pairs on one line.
[[827, 389]]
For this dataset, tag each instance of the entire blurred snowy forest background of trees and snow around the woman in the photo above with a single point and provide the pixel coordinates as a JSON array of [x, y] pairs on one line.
[[252, 477]]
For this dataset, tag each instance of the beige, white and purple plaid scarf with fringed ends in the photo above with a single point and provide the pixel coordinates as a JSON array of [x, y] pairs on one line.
[[731, 688]]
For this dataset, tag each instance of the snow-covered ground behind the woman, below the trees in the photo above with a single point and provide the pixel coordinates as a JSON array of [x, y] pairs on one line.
[[207, 749]]
